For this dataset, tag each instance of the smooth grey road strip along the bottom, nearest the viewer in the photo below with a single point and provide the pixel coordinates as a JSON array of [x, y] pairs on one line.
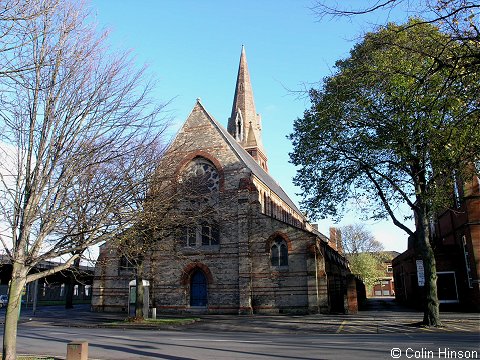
[[119, 344]]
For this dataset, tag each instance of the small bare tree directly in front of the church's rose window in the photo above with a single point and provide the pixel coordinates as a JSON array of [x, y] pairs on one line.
[[174, 205]]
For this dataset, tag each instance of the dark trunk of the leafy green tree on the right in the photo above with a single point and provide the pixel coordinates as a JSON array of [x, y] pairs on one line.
[[431, 315]]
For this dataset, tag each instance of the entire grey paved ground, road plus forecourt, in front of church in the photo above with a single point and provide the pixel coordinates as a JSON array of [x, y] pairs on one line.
[[385, 331]]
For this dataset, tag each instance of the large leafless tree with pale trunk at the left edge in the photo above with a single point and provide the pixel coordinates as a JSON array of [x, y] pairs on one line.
[[68, 120]]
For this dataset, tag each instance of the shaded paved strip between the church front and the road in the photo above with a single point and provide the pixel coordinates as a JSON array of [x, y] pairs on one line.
[[382, 315]]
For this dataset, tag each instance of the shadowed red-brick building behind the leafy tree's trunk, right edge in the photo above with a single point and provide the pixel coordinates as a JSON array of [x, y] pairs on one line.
[[456, 244]]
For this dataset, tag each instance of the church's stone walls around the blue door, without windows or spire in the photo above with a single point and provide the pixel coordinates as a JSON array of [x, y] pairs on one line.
[[239, 271]]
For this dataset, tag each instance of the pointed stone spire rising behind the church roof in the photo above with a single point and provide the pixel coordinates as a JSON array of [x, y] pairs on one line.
[[245, 124]]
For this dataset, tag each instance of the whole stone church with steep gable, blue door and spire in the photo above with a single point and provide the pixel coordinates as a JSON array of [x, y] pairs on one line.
[[243, 246]]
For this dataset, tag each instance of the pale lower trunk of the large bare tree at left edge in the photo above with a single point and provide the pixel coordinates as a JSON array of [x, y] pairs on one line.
[[17, 283]]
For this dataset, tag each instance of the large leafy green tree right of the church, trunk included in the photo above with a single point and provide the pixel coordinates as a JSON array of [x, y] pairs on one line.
[[397, 123]]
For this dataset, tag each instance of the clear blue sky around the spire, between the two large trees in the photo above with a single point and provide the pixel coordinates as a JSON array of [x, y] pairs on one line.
[[192, 48]]
